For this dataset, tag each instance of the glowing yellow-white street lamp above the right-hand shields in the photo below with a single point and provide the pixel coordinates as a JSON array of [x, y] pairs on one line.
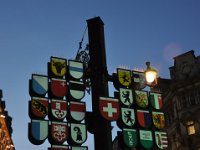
[[150, 75]]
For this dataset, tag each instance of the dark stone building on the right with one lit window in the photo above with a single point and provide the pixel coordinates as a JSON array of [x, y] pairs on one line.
[[181, 96]]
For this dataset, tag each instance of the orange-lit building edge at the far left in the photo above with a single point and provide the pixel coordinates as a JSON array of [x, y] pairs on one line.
[[5, 127]]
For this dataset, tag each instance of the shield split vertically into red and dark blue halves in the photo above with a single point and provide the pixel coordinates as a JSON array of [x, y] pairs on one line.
[[144, 118]]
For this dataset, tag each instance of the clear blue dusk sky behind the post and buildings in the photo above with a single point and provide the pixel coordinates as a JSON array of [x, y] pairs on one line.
[[136, 31]]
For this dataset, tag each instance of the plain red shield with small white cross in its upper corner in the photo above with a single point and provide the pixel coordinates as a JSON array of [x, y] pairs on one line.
[[59, 87]]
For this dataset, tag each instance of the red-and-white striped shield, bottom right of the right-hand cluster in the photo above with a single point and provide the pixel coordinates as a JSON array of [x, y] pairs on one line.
[[161, 139]]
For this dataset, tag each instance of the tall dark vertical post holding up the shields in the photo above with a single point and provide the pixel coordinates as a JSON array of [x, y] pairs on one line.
[[99, 82]]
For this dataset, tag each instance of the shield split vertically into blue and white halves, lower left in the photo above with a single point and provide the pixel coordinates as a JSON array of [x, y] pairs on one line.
[[38, 131]]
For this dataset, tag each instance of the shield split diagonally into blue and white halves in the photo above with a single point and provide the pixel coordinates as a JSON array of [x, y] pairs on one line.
[[39, 85]]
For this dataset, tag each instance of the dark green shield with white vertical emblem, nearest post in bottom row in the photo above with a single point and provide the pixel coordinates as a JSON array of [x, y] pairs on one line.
[[130, 137]]
